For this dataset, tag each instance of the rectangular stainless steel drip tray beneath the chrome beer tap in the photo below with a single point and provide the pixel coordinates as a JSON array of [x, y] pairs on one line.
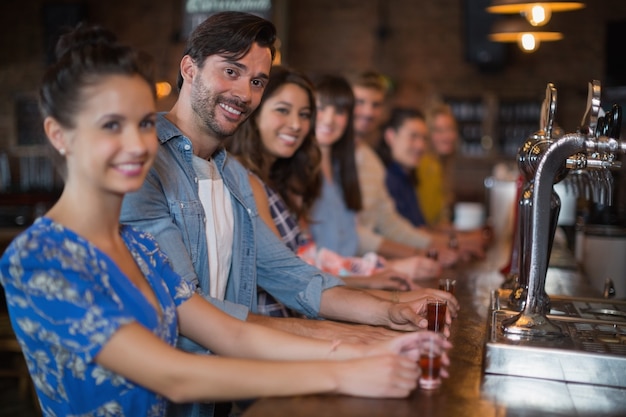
[[592, 350]]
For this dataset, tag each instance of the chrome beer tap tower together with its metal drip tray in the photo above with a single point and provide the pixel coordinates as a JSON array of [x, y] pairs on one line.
[[567, 339]]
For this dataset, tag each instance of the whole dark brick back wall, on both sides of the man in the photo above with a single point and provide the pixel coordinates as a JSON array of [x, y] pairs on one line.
[[421, 47]]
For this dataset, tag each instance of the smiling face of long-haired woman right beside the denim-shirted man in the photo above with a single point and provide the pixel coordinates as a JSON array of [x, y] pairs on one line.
[[284, 121]]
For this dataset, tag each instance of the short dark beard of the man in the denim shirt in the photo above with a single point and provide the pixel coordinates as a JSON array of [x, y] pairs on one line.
[[204, 104]]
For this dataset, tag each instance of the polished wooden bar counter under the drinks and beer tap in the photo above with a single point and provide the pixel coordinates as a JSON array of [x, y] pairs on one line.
[[468, 391]]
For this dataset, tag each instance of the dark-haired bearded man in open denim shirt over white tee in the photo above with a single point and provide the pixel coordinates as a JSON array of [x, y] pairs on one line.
[[222, 77]]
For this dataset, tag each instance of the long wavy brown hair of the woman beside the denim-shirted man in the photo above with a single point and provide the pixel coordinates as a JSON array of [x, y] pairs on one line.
[[296, 179]]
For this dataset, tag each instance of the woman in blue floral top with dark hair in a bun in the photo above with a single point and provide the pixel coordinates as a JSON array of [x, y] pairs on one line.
[[96, 306]]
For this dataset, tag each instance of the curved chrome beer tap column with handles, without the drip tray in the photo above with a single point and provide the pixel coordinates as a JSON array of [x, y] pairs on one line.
[[589, 149]]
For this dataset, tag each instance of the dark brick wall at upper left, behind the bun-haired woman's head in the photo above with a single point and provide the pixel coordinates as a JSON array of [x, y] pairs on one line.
[[151, 25]]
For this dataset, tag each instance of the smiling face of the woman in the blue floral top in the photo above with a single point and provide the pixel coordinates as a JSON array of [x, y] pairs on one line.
[[113, 141]]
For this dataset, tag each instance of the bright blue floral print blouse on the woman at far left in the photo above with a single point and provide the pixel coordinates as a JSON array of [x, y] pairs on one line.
[[66, 299]]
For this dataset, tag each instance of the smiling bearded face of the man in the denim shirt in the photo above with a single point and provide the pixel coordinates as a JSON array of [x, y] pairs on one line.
[[224, 92]]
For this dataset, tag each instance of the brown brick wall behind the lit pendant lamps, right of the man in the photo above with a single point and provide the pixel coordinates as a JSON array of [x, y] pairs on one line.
[[424, 50]]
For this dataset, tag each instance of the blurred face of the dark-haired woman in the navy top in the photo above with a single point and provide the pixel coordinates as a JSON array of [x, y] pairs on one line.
[[408, 142]]
